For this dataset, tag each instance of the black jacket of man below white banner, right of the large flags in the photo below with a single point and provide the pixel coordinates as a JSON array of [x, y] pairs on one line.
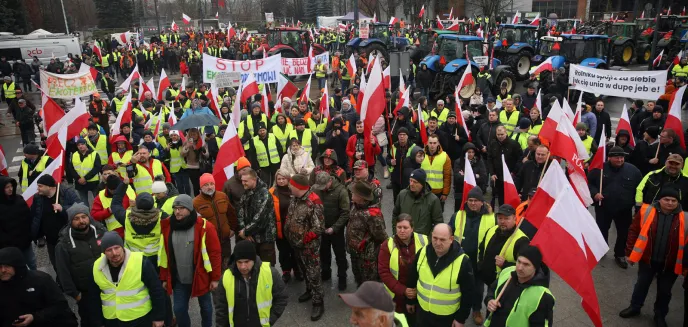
[[618, 186]]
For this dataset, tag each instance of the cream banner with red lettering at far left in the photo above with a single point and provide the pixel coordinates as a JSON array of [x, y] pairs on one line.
[[68, 86]]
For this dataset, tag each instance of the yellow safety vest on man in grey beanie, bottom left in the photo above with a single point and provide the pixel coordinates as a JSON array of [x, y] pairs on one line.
[[128, 299]]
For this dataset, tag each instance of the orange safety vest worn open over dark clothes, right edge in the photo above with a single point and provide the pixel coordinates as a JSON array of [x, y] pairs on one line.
[[648, 216]]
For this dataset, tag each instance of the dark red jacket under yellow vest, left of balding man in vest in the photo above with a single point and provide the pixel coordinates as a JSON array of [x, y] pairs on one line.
[[407, 255]]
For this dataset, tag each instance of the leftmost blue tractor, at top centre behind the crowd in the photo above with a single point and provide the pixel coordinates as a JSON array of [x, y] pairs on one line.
[[379, 41]]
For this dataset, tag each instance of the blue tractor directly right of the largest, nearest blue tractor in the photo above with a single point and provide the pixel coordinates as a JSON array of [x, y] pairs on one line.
[[515, 45]]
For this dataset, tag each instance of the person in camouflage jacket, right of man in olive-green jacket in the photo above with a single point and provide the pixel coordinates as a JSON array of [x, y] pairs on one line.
[[364, 232]]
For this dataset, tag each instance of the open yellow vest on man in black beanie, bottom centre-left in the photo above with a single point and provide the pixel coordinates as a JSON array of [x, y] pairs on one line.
[[263, 293]]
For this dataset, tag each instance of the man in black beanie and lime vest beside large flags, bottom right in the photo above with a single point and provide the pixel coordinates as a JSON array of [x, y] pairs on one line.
[[526, 277]]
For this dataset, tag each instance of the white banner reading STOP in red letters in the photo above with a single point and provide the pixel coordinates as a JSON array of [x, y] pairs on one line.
[[265, 70]]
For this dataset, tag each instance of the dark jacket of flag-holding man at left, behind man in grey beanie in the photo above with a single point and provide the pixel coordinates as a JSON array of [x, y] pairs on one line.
[[50, 228]]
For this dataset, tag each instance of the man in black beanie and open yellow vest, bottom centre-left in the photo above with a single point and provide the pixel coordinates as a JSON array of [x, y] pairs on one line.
[[247, 267]]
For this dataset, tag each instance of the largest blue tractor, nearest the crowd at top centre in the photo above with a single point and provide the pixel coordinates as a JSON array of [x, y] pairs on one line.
[[448, 61]]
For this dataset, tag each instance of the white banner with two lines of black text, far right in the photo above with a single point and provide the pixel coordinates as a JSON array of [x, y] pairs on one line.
[[642, 84]]
